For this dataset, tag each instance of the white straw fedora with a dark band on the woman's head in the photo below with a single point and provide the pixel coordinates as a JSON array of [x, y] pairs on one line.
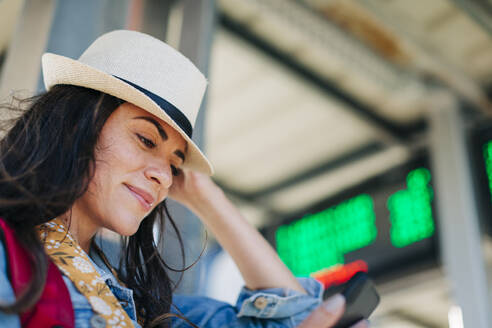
[[144, 71]]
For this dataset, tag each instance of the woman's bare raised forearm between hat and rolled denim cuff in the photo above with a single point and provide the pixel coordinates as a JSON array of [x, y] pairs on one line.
[[258, 262]]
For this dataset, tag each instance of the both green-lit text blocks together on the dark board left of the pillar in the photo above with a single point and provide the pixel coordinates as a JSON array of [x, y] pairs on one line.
[[324, 239]]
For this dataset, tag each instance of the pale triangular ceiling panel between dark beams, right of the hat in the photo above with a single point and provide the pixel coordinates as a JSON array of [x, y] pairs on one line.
[[264, 124]]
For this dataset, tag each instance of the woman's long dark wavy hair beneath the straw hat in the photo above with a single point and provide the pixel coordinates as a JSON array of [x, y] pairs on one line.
[[46, 163]]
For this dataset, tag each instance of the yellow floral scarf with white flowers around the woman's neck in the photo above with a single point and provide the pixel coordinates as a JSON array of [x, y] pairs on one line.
[[74, 263]]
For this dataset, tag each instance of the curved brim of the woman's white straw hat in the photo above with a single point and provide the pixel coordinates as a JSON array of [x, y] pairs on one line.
[[63, 70]]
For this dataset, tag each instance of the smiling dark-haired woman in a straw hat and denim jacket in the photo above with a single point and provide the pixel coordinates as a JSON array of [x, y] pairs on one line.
[[103, 148]]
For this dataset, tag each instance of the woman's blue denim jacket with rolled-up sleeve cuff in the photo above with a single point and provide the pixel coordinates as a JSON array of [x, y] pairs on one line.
[[267, 308]]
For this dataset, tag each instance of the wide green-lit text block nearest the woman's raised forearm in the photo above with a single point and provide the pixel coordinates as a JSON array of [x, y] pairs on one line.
[[320, 240]]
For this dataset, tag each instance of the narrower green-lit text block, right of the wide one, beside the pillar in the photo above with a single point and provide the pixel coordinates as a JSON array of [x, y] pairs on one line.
[[411, 210]]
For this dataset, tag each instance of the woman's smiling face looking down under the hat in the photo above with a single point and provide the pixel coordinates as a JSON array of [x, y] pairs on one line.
[[136, 157]]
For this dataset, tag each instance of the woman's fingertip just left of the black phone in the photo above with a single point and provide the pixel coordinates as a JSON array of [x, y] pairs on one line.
[[327, 314]]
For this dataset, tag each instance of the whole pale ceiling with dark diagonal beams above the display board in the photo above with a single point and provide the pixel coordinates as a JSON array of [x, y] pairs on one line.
[[353, 92]]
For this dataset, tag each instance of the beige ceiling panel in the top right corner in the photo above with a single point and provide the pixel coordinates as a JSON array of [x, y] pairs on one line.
[[446, 31]]
